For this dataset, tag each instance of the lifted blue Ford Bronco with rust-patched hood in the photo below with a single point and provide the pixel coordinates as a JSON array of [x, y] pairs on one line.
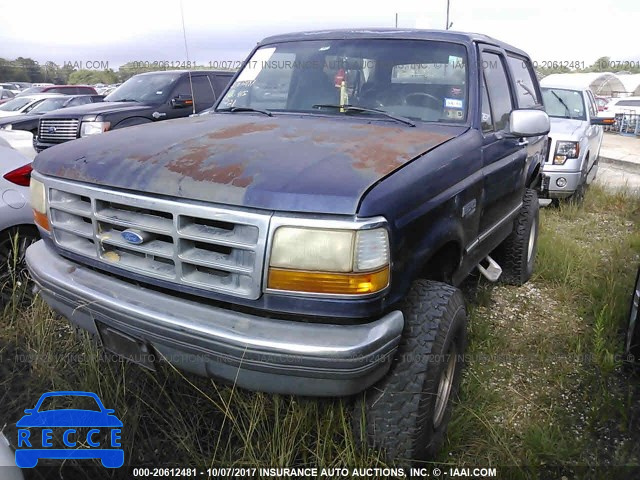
[[307, 235]]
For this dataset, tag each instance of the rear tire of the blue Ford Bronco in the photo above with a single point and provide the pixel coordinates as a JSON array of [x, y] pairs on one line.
[[517, 254]]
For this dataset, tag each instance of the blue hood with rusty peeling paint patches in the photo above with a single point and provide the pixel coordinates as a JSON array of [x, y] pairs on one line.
[[284, 162]]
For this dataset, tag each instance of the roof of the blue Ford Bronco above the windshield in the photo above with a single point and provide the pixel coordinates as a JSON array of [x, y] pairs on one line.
[[393, 33]]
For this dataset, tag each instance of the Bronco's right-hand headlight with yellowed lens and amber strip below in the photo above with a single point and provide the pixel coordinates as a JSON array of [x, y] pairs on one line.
[[329, 261]]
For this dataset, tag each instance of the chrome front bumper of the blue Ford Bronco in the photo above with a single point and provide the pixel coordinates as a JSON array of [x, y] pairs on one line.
[[254, 352]]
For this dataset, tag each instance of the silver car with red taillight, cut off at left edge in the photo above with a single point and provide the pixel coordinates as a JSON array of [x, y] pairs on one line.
[[17, 230]]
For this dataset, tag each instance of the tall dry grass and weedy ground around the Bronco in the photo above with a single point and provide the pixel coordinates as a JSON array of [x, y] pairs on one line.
[[543, 387]]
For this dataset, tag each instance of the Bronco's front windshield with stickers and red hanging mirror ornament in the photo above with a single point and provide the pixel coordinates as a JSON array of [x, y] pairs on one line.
[[416, 79]]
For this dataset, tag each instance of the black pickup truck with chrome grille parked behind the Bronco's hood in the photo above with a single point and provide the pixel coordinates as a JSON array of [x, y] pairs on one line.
[[144, 98]]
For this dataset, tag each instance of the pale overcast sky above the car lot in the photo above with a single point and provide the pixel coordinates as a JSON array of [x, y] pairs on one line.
[[117, 31]]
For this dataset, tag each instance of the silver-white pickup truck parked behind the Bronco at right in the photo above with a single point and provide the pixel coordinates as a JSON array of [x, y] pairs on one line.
[[575, 139]]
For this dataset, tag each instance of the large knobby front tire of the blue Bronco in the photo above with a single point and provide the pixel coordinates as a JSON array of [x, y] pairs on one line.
[[407, 412]]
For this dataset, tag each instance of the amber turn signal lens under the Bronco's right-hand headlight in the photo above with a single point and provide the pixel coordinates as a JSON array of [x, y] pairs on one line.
[[335, 283]]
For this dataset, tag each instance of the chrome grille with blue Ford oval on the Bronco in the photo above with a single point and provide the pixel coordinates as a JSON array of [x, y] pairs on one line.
[[210, 248]]
